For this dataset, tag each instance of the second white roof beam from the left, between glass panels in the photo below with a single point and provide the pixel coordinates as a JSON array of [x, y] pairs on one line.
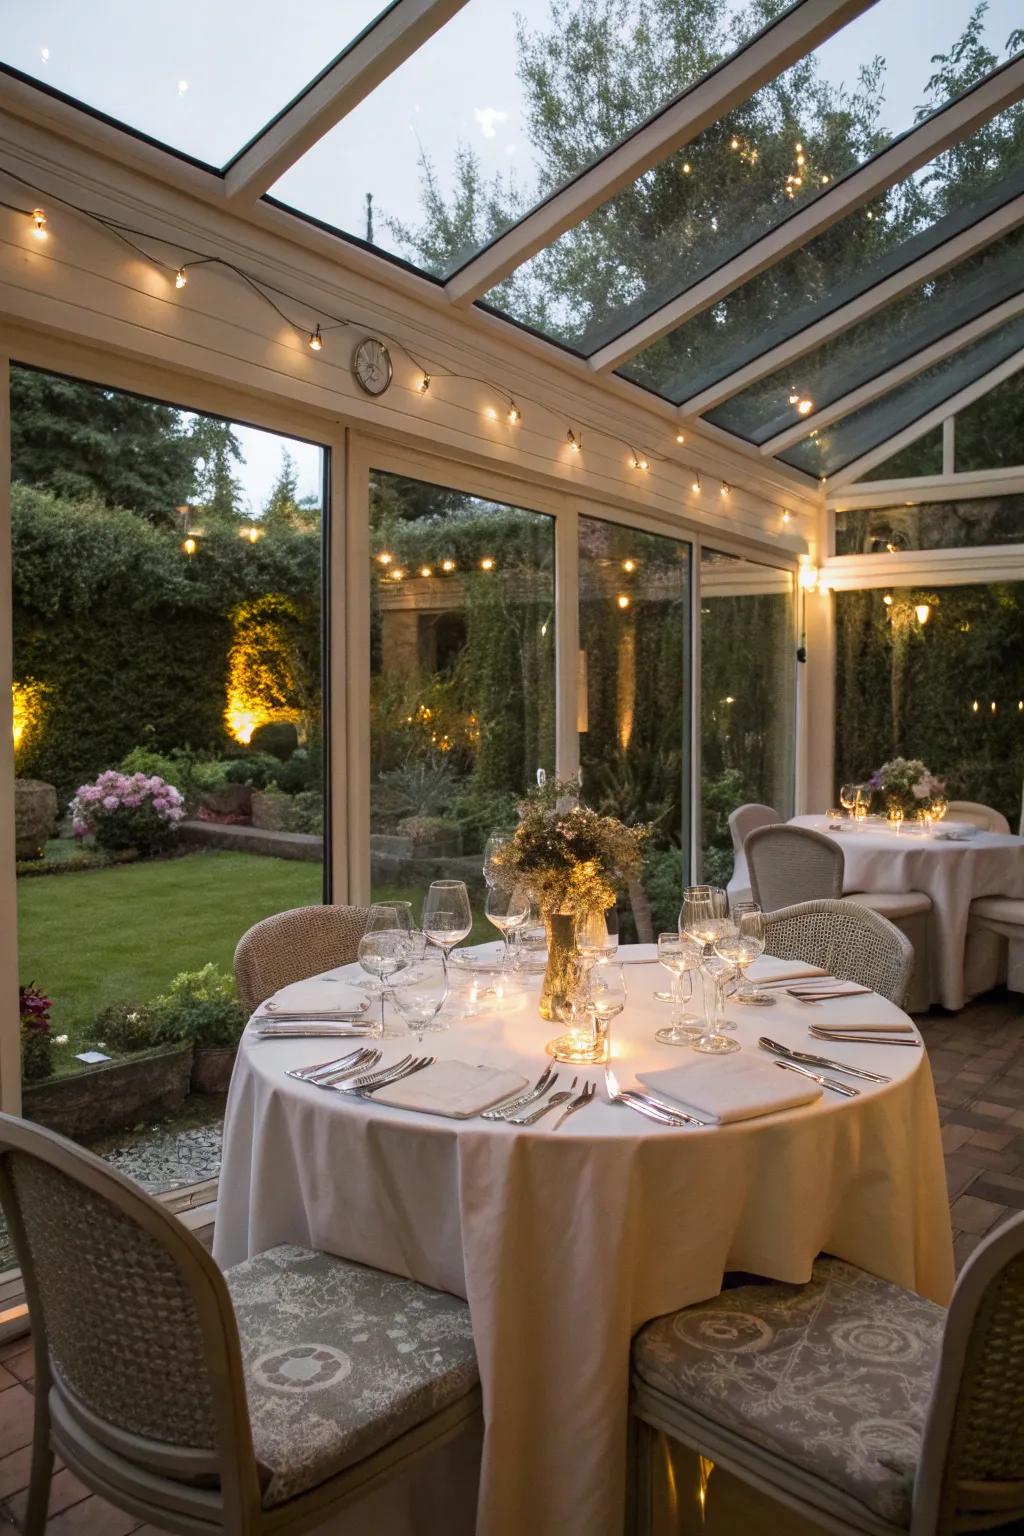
[[687, 116]]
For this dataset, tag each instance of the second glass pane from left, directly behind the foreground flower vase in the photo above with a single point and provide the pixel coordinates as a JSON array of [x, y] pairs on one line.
[[461, 681]]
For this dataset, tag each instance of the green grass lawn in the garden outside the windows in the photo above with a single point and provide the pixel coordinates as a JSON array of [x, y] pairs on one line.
[[105, 936]]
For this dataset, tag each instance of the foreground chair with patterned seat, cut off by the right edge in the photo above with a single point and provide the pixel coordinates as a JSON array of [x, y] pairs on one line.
[[850, 1403]]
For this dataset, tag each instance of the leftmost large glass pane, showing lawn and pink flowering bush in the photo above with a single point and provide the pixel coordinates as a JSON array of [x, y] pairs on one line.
[[167, 660]]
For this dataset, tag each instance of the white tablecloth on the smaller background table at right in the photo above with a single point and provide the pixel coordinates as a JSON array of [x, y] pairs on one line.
[[951, 873]]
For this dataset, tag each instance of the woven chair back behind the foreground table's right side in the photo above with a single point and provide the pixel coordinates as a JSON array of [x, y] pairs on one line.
[[847, 941]]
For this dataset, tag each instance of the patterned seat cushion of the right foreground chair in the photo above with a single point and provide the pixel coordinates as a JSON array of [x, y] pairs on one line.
[[833, 1377]]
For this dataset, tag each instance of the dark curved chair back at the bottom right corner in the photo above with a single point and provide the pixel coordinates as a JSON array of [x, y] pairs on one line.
[[971, 1472]]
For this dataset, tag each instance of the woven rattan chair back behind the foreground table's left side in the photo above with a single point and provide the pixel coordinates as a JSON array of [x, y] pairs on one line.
[[292, 945]]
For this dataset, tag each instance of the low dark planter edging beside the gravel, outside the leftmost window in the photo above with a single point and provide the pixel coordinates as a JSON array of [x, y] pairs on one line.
[[114, 1094]]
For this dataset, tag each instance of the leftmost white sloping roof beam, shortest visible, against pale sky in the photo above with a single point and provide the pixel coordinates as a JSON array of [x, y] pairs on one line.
[[374, 56]]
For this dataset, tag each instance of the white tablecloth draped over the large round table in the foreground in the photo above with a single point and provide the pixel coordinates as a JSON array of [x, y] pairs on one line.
[[564, 1242]]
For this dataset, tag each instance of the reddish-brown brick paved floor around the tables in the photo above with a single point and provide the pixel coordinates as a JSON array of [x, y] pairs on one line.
[[979, 1067]]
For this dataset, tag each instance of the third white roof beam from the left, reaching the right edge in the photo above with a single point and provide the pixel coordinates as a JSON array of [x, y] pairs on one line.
[[905, 156]]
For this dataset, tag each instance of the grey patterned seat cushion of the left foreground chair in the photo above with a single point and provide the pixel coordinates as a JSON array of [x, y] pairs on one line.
[[342, 1360]]
